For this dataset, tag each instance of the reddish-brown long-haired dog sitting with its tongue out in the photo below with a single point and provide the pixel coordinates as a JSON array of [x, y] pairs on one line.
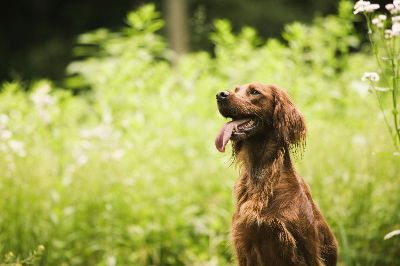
[[276, 221]]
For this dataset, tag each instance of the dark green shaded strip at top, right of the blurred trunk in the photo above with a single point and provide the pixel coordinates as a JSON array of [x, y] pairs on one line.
[[268, 17]]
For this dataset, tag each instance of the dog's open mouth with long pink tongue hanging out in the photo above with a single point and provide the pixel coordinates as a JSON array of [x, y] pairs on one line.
[[237, 128]]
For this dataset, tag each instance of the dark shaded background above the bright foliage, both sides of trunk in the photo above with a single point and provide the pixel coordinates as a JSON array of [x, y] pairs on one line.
[[37, 36]]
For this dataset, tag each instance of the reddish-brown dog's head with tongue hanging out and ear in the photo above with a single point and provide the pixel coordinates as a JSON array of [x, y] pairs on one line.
[[256, 109]]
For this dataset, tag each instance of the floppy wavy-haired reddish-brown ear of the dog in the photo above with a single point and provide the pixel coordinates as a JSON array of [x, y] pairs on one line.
[[288, 122]]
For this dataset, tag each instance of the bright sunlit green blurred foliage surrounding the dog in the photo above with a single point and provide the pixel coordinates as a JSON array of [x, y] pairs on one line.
[[127, 174]]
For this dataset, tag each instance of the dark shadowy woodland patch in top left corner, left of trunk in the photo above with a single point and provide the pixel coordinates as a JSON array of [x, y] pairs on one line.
[[36, 37]]
